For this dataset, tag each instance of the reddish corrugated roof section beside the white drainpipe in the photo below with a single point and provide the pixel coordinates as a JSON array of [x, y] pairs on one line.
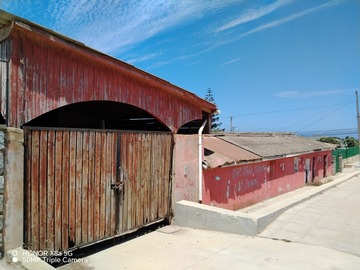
[[225, 153]]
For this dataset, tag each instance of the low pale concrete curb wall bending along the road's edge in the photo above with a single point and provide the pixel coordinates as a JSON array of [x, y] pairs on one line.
[[205, 217]]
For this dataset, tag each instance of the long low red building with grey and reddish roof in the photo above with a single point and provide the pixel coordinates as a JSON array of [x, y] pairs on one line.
[[252, 167]]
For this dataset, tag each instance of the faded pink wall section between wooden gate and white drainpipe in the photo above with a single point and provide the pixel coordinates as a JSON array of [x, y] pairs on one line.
[[186, 171]]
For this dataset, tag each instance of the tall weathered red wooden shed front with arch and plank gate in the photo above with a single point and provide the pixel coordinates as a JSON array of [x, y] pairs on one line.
[[98, 136]]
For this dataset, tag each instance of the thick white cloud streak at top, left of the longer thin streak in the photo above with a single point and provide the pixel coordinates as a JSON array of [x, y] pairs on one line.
[[253, 14]]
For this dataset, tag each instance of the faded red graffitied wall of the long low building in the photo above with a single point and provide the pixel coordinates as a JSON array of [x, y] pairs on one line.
[[236, 187]]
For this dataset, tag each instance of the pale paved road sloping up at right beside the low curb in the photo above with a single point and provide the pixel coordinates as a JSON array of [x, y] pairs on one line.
[[330, 220]]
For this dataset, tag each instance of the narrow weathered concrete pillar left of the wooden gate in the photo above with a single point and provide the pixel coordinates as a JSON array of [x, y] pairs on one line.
[[11, 188]]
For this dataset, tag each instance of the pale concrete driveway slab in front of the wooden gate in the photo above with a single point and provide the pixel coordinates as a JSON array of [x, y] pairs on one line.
[[180, 248]]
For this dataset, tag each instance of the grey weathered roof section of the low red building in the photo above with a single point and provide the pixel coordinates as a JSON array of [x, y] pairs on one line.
[[269, 145]]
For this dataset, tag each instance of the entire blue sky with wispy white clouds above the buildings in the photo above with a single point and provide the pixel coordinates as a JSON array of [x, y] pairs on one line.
[[272, 65]]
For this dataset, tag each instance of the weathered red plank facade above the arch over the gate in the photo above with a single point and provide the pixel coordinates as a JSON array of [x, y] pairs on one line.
[[53, 73]]
